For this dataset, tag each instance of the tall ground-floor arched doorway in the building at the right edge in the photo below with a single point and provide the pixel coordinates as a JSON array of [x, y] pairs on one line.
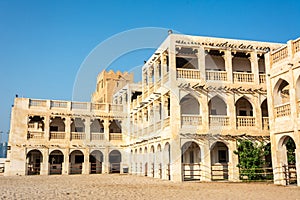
[[288, 159]]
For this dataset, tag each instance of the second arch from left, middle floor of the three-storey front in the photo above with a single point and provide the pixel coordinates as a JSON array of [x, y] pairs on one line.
[[217, 112]]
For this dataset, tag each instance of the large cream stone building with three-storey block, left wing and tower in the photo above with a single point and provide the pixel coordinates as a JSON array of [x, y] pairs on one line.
[[198, 95]]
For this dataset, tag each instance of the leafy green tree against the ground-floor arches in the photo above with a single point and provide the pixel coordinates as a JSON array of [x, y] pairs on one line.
[[251, 159]]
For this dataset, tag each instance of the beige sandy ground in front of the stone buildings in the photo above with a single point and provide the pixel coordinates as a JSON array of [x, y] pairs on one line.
[[133, 187]]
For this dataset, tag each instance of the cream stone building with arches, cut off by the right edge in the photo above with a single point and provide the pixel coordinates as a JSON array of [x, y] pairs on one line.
[[283, 69]]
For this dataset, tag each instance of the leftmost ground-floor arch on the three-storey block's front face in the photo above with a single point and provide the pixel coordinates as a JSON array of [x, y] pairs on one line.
[[191, 158]]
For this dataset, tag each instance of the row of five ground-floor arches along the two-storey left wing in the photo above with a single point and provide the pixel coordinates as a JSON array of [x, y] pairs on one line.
[[34, 161]]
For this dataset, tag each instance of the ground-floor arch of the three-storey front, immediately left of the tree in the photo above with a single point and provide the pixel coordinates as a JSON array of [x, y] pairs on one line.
[[219, 161]]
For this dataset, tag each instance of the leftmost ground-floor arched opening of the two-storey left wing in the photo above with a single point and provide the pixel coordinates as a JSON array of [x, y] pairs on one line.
[[34, 159]]
